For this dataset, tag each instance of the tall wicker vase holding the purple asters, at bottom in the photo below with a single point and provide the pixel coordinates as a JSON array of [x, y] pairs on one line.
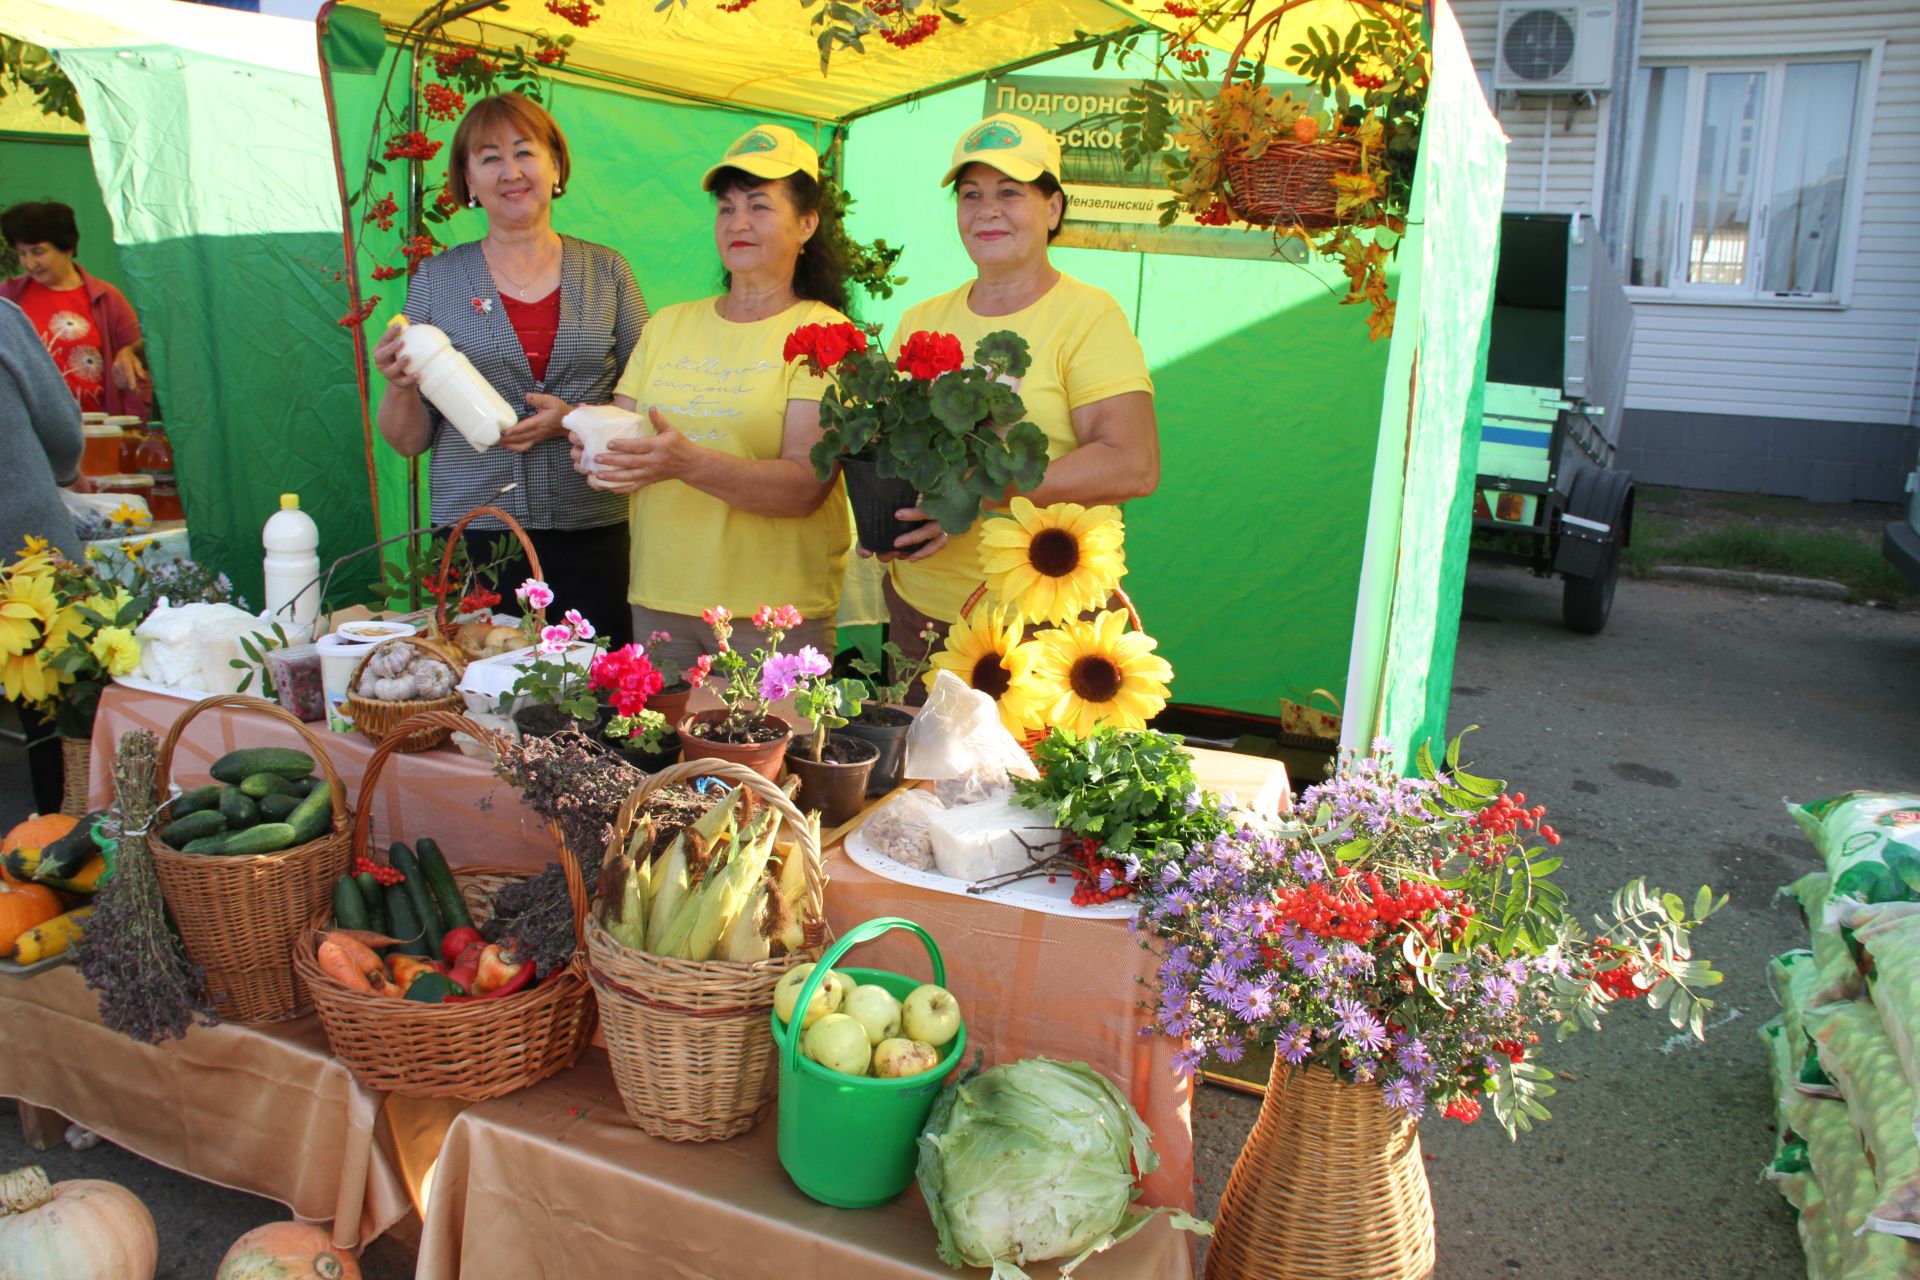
[[1330, 1187]]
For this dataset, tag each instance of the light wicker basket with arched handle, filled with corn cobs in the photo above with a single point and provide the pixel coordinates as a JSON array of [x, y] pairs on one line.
[[690, 1041]]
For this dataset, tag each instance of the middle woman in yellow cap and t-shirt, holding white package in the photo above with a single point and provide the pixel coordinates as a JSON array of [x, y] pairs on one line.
[[727, 510]]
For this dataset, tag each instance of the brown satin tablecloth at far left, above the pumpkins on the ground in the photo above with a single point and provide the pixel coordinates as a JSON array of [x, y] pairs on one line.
[[262, 1110]]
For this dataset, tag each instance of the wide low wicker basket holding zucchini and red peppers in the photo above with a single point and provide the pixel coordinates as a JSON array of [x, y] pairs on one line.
[[475, 1051]]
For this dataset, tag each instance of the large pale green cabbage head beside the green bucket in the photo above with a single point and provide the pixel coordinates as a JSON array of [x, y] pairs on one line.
[[1032, 1162]]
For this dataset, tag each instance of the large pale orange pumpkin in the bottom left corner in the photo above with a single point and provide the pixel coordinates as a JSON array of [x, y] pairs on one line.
[[74, 1231]]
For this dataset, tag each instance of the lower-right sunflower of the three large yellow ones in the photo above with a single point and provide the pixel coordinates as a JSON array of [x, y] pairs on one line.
[[1099, 673]]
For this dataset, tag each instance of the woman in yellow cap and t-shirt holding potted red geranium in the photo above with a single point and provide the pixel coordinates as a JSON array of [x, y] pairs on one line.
[[1088, 391]]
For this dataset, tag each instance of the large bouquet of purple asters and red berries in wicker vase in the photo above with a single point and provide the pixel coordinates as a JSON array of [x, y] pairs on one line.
[[1406, 934]]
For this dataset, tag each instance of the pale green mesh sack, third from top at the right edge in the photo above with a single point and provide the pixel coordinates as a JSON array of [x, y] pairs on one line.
[[1883, 1104]]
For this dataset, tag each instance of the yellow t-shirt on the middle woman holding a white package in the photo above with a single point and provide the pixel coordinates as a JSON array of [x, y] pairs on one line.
[[727, 389]]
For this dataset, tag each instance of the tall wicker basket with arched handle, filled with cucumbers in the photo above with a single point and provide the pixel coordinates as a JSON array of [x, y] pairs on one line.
[[241, 916]]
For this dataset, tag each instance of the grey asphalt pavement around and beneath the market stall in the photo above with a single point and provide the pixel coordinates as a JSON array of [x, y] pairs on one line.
[[1664, 749]]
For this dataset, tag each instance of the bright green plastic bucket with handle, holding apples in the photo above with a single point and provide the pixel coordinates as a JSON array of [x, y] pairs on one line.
[[853, 1141]]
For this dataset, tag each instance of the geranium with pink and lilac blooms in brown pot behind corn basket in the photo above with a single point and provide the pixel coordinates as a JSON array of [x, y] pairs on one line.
[[746, 728]]
